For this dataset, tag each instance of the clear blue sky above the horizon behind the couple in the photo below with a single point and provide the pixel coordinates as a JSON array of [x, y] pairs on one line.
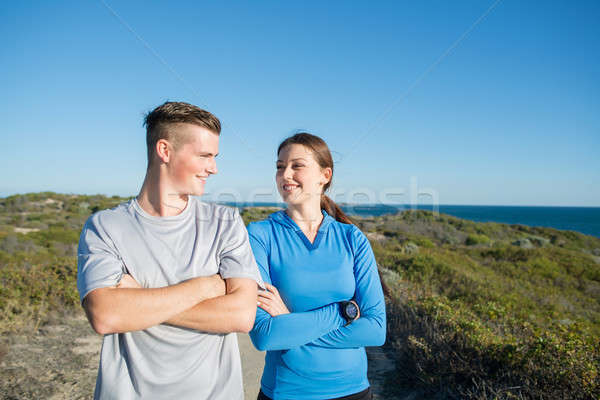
[[509, 116]]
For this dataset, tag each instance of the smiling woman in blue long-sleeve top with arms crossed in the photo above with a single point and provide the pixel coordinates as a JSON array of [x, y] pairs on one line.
[[324, 300]]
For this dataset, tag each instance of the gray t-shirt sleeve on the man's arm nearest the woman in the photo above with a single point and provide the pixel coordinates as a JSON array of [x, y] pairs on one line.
[[236, 259]]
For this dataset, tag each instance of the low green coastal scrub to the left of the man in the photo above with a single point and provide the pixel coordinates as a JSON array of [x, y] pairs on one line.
[[38, 255]]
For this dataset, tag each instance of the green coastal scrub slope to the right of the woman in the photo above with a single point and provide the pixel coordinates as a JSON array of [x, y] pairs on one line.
[[487, 310]]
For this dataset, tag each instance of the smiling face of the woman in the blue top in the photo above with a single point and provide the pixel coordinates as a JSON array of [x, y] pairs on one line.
[[299, 177]]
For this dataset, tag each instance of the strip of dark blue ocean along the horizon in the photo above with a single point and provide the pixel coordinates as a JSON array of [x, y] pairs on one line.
[[580, 219]]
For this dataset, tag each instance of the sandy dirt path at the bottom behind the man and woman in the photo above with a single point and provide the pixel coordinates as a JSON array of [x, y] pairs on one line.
[[60, 361]]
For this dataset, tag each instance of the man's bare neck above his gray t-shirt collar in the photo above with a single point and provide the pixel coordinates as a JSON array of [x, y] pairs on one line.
[[159, 199]]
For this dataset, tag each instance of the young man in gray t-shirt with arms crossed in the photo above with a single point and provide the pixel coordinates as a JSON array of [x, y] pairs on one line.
[[166, 278]]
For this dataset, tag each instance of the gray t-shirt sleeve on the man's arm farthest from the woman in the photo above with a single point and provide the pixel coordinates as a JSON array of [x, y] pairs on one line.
[[98, 263]]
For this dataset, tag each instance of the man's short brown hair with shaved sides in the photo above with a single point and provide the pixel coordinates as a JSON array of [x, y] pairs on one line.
[[159, 121]]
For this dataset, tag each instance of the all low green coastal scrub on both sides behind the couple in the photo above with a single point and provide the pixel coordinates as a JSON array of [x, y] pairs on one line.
[[476, 310]]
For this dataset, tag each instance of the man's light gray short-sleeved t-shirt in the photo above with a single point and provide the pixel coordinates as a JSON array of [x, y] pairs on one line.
[[166, 362]]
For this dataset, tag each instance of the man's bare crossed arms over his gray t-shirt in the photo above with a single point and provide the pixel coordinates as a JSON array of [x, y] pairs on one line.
[[207, 304]]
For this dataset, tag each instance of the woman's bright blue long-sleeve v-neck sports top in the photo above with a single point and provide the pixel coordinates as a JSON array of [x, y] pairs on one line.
[[311, 354]]
